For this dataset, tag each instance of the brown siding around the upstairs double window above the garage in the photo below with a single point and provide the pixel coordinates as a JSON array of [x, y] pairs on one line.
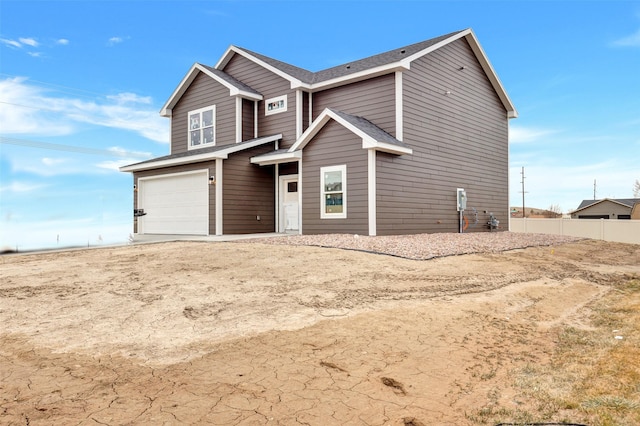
[[204, 92]]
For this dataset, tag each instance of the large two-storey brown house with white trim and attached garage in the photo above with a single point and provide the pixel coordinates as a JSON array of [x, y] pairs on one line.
[[377, 146]]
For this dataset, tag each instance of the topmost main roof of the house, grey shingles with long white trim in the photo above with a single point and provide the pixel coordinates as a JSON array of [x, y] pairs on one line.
[[383, 63]]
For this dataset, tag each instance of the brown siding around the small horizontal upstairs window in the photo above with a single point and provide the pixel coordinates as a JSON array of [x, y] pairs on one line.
[[270, 86]]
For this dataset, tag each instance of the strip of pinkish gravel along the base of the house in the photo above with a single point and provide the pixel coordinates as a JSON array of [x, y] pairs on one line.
[[425, 246]]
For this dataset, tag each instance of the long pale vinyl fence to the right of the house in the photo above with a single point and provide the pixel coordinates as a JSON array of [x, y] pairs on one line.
[[621, 231]]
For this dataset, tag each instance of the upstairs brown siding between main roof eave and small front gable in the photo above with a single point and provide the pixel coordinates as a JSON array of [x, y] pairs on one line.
[[373, 99]]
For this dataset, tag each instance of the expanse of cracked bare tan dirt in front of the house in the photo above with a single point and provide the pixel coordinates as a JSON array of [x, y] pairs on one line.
[[238, 333]]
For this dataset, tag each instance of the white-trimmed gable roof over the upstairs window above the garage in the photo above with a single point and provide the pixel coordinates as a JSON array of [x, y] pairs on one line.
[[236, 88]]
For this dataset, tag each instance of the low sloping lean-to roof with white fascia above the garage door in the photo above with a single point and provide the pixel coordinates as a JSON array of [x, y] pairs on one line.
[[198, 155]]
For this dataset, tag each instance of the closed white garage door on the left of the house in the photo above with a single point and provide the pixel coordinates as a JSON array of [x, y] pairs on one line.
[[174, 204]]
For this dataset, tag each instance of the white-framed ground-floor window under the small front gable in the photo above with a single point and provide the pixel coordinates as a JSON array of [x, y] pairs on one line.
[[333, 190]]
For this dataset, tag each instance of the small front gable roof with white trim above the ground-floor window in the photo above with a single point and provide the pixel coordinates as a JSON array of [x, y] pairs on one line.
[[372, 136]]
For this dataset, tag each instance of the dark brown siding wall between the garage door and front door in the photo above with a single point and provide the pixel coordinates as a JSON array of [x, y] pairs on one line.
[[249, 192]]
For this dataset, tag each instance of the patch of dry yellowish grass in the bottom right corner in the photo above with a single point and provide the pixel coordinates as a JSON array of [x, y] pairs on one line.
[[593, 377]]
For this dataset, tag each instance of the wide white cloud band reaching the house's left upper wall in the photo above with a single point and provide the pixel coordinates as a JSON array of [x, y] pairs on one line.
[[28, 109]]
